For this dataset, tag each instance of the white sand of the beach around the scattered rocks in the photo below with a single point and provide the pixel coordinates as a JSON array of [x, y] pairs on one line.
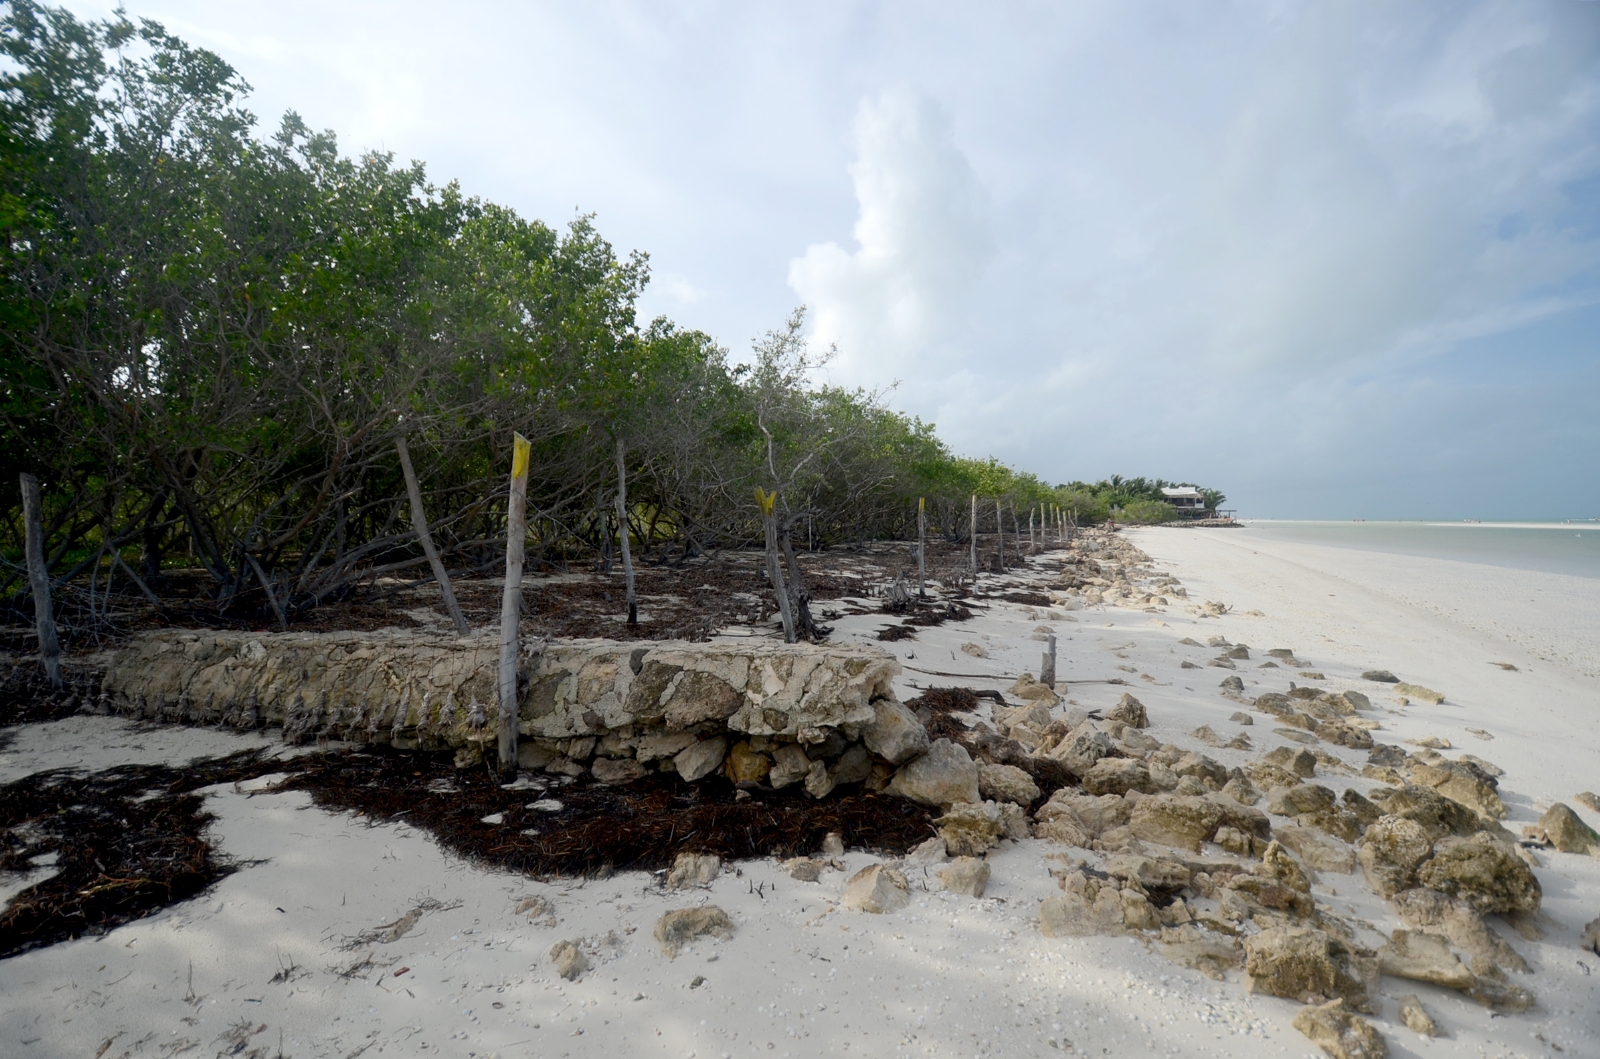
[[948, 977]]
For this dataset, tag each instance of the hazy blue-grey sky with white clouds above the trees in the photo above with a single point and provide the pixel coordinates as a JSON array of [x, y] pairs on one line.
[[1335, 260]]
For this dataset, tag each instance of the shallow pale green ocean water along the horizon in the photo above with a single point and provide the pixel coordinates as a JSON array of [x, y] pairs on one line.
[[1546, 546]]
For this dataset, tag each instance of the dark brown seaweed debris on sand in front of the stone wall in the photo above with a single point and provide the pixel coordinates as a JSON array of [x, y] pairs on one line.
[[130, 841]]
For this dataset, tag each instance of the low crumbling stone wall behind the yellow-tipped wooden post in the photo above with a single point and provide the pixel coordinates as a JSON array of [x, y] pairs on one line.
[[775, 713]]
